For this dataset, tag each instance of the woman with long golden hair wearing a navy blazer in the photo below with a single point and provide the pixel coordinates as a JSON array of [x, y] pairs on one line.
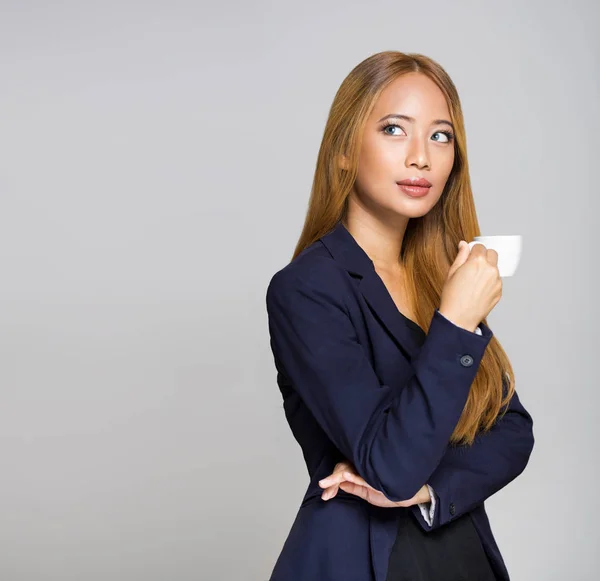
[[399, 394]]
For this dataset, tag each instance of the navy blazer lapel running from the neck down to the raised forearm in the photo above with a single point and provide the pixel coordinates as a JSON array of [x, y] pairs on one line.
[[343, 248]]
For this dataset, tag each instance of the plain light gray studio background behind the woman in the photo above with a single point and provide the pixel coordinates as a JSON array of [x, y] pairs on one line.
[[156, 161]]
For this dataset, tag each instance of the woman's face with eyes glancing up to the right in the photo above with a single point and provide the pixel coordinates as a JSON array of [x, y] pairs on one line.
[[396, 148]]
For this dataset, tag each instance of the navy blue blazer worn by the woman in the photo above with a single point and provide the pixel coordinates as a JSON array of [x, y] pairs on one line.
[[357, 387]]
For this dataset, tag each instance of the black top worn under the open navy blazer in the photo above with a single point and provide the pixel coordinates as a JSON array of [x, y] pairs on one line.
[[452, 552]]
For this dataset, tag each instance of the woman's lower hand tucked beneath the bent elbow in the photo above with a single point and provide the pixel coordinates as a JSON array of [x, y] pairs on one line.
[[344, 476]]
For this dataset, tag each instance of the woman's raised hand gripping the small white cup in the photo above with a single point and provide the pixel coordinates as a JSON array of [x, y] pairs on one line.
[[473, 286]]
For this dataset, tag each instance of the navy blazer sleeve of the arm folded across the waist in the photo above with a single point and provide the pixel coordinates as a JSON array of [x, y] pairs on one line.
[[468, 475]]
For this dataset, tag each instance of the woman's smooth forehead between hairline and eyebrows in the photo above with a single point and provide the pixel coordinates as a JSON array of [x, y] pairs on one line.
[[412, 94]]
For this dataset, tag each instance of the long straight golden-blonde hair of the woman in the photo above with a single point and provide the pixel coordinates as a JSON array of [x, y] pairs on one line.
[[430, 242]]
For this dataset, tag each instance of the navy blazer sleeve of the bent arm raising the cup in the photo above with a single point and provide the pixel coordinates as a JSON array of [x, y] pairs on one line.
[[394, 436]]
